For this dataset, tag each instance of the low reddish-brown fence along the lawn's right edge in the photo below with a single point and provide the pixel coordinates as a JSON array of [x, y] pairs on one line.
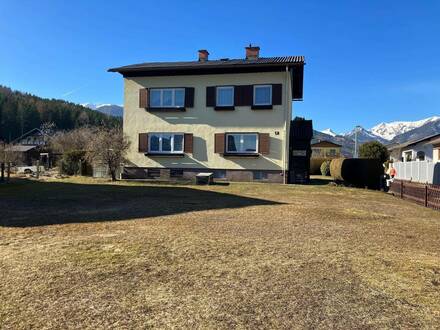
[[427, 195]]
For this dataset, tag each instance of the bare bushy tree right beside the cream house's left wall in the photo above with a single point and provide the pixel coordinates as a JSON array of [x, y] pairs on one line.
[[108, 147]]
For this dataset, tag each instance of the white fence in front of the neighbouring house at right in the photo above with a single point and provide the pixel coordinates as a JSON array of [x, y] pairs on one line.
[[418, 171]]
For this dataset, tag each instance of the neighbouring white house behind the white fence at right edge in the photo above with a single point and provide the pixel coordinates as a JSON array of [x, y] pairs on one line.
[[417, 150]]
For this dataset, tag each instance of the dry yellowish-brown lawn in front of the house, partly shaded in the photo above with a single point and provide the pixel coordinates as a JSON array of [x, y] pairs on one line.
[[85, 254]]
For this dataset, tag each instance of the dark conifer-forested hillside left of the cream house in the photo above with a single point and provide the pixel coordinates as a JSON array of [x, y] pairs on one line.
[[21, 112]]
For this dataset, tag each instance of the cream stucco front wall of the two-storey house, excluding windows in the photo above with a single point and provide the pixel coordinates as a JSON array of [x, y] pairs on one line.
[[204, 122]]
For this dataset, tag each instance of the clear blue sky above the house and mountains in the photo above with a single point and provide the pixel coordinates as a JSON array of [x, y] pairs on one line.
[[367, 61]]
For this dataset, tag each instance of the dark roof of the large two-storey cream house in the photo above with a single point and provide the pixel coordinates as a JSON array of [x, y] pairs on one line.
[[222, 63]]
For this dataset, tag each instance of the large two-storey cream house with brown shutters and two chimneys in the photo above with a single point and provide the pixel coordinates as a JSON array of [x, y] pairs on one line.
[[228, 116]]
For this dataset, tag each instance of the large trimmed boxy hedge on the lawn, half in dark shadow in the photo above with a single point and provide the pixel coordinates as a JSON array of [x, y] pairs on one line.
[[358, 172]]
